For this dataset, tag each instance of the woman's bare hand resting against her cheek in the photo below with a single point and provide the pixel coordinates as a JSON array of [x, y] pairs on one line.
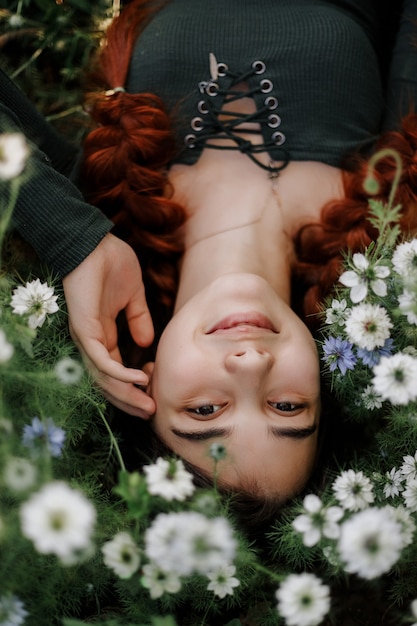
[[108, 281]]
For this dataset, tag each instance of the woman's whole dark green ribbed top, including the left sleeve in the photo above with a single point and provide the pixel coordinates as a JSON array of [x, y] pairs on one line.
[[327, 62]]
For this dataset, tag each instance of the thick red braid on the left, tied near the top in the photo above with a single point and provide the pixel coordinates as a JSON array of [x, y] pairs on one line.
[[126, 155]]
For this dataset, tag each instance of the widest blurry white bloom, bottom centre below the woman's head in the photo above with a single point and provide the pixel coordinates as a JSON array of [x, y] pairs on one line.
[[187, 542]]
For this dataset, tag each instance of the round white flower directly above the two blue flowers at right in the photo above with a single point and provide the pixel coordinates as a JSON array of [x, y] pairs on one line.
[[368, 326]]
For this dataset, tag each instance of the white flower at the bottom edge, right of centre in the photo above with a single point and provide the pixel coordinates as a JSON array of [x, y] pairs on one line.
[[303, 600]]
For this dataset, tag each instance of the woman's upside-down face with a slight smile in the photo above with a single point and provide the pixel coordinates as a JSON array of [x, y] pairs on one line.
[[236, 366]]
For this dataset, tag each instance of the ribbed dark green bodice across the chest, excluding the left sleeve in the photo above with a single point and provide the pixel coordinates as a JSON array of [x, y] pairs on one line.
[[315, 69]]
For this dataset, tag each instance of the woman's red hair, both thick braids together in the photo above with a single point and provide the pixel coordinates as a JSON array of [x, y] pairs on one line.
[[126, 156]]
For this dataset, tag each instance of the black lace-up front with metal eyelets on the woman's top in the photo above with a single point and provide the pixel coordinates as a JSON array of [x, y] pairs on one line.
[[213, 122]]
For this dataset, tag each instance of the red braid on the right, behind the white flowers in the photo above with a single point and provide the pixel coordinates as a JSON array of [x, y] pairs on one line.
[[344, 223]]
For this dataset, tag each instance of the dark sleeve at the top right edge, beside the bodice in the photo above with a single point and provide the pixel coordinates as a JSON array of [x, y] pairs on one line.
[[402, 78]]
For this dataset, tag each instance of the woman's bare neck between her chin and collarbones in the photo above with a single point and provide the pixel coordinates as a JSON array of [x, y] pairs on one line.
[[247, 235]]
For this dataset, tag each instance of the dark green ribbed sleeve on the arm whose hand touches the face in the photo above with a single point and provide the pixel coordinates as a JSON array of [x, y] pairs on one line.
[[50, 212]]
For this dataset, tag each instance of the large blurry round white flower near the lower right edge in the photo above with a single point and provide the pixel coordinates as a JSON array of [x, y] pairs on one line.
[[370, 542]]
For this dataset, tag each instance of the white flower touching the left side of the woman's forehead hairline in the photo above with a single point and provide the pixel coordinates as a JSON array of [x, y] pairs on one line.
[[169, 479]]
